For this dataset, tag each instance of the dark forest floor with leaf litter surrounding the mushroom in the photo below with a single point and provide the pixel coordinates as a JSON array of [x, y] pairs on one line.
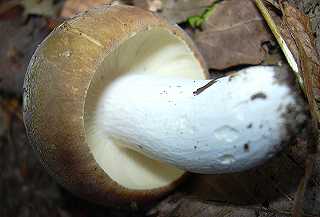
[[27, 190]]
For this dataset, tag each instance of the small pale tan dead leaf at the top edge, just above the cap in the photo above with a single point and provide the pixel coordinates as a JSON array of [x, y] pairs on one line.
[[73, 7]]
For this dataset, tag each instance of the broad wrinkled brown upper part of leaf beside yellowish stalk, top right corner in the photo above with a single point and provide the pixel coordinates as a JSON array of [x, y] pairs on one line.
[[301, 40]]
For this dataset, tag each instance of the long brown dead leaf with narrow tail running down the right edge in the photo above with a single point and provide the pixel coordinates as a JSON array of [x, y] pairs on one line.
[[298, 34]]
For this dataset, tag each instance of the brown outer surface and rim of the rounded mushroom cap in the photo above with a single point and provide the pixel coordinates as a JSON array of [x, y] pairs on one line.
[[55, 89]]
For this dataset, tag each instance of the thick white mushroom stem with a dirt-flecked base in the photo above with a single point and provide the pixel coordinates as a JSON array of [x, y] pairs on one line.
[[236, 123]]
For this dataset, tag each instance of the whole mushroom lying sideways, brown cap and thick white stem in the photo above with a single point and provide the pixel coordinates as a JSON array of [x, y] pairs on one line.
[[118, 104]]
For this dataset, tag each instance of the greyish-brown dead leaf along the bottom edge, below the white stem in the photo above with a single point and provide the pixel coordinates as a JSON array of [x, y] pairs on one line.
[[180, 205]]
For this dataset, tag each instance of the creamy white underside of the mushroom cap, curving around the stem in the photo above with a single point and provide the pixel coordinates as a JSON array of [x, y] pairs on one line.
[[157, 52]]
